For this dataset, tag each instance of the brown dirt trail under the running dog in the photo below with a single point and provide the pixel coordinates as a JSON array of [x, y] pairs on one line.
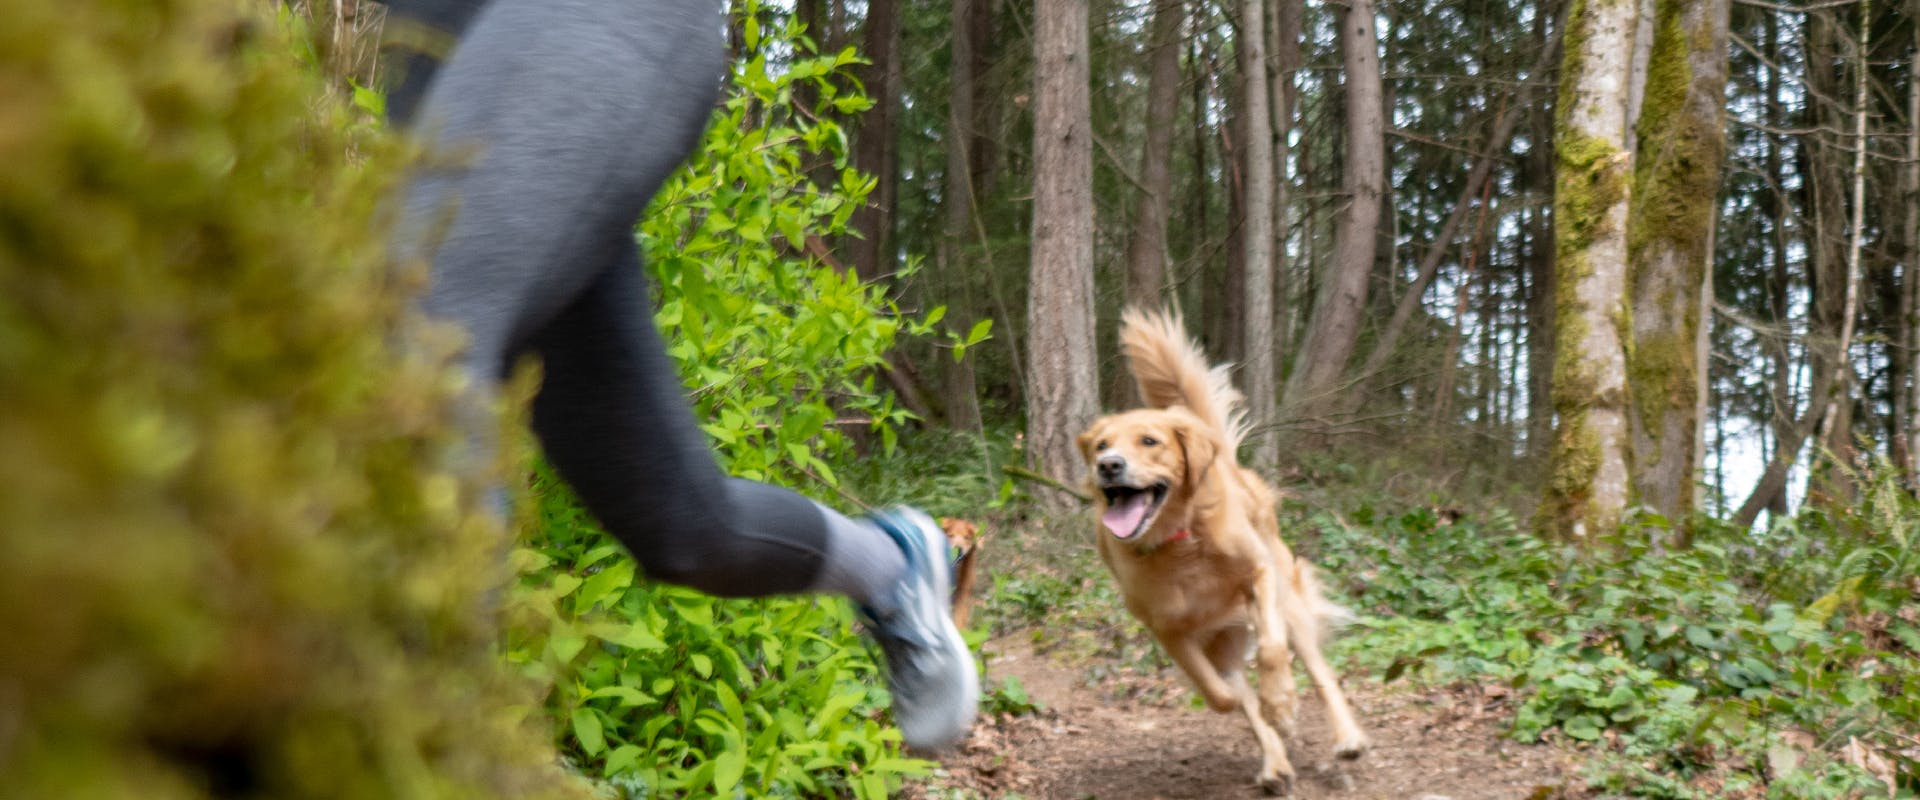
[[1141, 740]]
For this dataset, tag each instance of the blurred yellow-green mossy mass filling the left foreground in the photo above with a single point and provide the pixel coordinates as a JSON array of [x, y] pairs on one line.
[[231, 557]]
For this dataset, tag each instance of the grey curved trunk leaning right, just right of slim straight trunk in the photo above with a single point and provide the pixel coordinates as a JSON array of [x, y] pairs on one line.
[[1337, 316]]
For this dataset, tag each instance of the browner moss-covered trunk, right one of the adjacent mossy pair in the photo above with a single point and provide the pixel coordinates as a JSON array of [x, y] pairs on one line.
[[1677, 176]]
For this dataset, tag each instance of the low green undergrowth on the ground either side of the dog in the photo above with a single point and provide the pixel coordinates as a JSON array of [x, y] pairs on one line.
[[1754, 665]]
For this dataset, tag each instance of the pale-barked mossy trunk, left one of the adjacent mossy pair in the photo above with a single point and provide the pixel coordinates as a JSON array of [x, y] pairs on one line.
[[1589, 479]]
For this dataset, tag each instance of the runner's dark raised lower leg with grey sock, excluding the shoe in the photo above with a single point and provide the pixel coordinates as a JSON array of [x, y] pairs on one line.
[[613, 417]]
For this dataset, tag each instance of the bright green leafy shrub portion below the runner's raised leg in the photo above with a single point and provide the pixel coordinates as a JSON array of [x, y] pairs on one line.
[[669, 692]]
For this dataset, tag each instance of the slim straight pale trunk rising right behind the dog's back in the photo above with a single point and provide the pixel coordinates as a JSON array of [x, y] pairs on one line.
[[1257, 233]]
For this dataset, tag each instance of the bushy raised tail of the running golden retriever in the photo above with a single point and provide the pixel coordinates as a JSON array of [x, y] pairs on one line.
[[1172, 371]]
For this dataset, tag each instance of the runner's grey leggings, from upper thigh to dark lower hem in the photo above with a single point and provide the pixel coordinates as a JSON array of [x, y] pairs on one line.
[[556, 122]]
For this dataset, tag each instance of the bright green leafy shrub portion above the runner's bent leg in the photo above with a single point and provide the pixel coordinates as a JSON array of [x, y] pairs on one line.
[[773, 344]]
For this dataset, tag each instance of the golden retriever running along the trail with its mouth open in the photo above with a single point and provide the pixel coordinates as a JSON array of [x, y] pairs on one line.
[[1195, 546]]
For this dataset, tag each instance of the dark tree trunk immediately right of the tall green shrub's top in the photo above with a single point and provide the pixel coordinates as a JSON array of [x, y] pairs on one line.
[[875, 141]]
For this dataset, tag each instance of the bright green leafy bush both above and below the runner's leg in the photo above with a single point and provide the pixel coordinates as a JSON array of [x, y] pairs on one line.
[[661, 690]]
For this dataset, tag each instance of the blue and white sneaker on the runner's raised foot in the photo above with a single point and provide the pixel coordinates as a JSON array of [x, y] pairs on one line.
[[930, 671]]
